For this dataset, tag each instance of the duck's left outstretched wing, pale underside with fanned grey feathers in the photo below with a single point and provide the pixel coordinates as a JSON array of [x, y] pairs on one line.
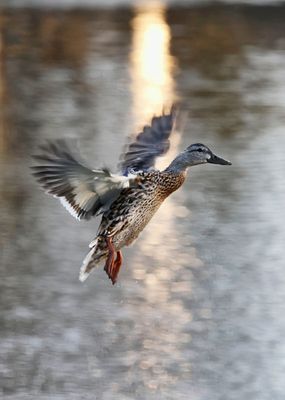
[[84, 192]]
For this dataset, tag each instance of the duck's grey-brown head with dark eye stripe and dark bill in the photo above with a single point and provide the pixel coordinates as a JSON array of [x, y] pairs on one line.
[[198, 153]]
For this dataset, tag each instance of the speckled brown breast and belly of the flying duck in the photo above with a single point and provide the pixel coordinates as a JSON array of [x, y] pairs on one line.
[[134, 208]]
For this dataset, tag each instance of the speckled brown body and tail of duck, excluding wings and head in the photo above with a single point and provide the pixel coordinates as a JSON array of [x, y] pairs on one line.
[[128, 216]]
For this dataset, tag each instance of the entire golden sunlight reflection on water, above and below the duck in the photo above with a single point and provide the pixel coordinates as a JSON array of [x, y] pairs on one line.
[[160, 258]]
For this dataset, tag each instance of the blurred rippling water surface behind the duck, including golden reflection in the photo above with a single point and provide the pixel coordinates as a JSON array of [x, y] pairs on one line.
[[198, 310]]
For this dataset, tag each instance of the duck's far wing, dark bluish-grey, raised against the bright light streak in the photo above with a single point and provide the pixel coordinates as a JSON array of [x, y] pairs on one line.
[[152, 142]]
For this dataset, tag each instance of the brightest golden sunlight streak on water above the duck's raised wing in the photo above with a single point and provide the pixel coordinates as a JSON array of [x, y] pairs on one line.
[[151, 64]]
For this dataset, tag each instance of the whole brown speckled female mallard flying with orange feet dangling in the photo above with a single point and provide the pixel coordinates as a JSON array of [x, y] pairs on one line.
[[128, 200]]
